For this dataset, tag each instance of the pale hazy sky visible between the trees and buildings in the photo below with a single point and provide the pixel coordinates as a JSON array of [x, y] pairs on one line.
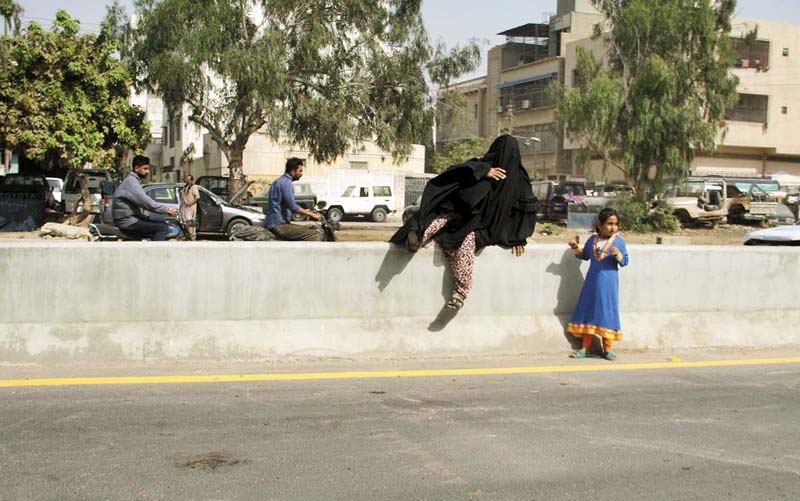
[[453, 22]]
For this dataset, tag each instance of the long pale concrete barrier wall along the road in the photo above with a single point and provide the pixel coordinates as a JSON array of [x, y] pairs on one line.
[[63, 302]]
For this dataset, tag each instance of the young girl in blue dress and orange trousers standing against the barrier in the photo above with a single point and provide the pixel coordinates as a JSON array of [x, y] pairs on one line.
[[597, 312]]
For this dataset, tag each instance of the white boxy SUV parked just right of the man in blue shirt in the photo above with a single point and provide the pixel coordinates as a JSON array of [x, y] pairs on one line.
[[375, 202]]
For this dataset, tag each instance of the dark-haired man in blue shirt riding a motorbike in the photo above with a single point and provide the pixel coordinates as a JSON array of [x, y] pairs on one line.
[[281, 205]]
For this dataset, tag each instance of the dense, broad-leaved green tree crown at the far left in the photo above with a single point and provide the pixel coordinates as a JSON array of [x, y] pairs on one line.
[[64, 97]]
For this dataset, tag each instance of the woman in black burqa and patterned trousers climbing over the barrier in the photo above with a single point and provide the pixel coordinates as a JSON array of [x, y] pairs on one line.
[[484, 201]]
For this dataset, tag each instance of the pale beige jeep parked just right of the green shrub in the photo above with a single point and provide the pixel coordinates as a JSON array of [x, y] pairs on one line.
[[698, 201]]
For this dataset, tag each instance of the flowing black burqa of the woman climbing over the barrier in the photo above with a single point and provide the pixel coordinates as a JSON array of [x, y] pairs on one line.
[[499, 212]]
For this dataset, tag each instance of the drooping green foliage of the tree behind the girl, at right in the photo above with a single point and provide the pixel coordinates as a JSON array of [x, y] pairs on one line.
[[664, 92]]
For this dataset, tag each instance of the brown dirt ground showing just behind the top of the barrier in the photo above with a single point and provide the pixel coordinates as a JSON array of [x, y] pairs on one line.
[[721, 235]]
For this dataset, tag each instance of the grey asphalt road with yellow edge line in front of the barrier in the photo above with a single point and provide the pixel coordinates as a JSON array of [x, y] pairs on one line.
[[652, 432]]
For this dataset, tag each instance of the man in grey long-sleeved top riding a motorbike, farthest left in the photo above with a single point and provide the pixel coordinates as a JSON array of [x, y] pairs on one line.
[[130, 202]]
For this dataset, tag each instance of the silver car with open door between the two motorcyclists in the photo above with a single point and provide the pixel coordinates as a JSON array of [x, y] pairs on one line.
[[215, 216]]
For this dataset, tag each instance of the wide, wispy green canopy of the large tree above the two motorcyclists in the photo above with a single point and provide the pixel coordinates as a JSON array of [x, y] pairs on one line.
[[323, 74]]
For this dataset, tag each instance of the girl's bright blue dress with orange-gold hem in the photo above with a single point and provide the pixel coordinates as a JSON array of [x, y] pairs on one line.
[[597, 311]]
